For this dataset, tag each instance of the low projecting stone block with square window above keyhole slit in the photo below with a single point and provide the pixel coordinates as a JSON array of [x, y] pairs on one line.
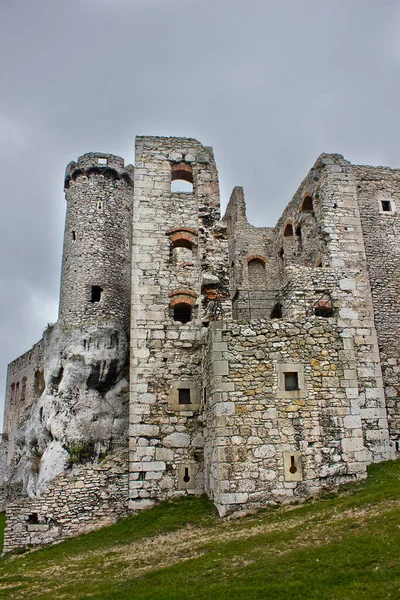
[[256, 430]]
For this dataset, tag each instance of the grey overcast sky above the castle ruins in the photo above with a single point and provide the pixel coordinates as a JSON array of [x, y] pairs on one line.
[[269, 84]]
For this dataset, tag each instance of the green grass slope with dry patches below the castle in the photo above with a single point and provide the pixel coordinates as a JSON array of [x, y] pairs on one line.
[[343, 545]]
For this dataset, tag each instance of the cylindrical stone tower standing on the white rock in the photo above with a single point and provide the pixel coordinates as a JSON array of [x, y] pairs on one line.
[[95, 276]]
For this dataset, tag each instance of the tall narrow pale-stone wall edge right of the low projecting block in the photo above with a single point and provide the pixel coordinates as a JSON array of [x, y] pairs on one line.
[[341, 224]]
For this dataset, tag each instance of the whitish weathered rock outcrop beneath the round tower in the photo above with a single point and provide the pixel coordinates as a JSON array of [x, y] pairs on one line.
[[82, 413]]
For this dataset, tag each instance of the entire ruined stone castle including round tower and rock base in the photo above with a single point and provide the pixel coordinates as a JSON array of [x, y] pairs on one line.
[[258, 365]]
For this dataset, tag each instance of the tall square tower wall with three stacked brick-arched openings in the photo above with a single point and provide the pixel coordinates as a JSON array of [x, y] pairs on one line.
[[165, 437]]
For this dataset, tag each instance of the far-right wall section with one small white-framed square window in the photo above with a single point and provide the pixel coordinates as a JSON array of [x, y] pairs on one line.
[[381, 230]]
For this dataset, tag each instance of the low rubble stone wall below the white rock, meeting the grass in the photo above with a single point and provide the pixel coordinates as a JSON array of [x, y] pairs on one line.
[[87, 498]]
